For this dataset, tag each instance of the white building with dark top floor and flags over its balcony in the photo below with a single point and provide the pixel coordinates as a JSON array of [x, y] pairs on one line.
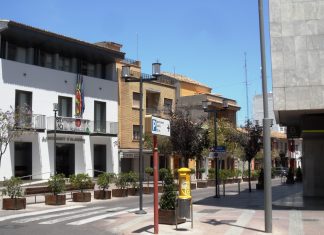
[[39, 68]]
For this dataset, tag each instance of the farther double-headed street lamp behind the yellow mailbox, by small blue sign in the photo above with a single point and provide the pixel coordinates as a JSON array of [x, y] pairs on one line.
[[205, 105]]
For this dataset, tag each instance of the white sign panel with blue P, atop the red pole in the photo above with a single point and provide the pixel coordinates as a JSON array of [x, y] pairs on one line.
[[157, 126]]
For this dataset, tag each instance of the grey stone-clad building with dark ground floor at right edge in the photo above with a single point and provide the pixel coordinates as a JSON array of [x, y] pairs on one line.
[[297, 53]]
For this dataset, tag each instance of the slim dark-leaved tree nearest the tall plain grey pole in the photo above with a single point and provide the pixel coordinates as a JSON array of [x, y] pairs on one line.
[[251, 143]]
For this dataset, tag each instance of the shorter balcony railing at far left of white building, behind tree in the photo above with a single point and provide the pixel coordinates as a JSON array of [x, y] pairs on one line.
[[31, 122]]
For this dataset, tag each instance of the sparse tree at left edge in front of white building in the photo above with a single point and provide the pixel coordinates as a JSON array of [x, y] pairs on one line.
[[13, 123]]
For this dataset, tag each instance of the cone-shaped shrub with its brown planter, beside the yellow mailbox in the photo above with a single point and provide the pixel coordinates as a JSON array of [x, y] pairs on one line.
[[168, 202]]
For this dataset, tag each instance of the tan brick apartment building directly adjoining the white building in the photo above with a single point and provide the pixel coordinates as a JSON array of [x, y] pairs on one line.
[[159, 98]]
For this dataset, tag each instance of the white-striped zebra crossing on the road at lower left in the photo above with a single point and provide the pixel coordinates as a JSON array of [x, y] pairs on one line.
[[71, 215]]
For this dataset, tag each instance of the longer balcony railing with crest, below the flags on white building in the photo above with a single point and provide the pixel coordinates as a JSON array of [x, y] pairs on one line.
[[79, 125]]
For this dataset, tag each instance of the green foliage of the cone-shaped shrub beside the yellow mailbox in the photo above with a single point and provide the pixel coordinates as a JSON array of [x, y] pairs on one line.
[[168, 198]]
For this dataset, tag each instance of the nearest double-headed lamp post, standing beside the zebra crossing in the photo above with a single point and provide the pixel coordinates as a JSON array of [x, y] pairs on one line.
[[156, 72]]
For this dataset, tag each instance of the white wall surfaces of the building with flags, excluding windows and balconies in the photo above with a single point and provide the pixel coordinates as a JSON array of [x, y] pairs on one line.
[[46, 85]]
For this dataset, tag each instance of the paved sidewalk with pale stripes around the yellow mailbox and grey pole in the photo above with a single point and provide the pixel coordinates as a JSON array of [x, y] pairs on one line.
[[239, 214]]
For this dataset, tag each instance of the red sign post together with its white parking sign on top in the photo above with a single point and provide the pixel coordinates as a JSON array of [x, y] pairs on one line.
[[156, 126]]
